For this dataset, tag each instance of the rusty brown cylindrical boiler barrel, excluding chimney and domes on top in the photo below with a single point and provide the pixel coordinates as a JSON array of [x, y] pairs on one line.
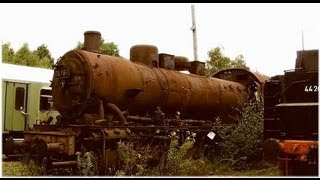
[[137, 87]]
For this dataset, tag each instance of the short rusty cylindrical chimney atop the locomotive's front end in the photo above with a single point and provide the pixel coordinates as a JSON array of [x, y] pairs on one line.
[[92, 41]]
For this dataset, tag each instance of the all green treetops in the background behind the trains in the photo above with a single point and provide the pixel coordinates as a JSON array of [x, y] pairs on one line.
[[41, 56]]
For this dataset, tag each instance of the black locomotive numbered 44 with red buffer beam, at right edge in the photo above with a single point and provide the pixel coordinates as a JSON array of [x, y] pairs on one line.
[[291, 116]]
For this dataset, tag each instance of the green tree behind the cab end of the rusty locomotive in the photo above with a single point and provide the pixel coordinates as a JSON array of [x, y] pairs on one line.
[[217, 61]]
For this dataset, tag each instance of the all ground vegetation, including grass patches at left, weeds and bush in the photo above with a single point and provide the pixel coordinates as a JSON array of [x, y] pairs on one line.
[[237, 152]]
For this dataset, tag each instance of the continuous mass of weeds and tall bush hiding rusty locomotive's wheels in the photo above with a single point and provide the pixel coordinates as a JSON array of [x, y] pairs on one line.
[[239, 146]]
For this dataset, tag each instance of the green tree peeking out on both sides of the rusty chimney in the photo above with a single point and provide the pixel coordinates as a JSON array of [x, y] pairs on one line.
[[109, 48]]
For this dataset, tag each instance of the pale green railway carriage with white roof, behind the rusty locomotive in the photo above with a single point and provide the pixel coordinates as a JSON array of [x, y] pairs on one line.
[[26, 98]]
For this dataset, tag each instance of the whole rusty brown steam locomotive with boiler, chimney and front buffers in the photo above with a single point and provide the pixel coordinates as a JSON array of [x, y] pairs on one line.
[[103, 99]]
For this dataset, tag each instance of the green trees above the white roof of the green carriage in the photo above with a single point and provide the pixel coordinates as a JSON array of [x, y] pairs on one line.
[[40, 57]]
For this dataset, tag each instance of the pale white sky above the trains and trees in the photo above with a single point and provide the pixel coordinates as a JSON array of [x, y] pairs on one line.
[[267, 35]]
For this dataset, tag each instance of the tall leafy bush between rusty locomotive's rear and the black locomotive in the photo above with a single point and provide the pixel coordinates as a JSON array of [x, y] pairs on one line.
[[241, 143]]
